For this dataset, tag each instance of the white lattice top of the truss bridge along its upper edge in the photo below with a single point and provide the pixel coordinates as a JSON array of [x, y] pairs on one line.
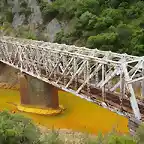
[[71, 49]]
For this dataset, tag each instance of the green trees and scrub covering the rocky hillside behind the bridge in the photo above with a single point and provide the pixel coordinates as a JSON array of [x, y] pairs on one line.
[[116, 25]]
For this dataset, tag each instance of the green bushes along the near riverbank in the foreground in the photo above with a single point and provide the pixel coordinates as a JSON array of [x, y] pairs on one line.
[[16, 129]]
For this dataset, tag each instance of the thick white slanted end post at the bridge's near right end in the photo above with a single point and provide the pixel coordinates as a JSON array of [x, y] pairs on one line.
[[133, 100]]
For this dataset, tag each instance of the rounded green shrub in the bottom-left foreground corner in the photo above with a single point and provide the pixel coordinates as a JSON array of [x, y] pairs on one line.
[[16, 129]]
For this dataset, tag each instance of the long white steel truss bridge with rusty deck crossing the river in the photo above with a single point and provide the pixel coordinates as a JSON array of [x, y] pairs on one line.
[[103, 77]]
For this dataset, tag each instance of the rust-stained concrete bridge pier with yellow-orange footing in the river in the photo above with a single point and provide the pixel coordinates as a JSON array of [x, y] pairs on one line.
[[37, 96]]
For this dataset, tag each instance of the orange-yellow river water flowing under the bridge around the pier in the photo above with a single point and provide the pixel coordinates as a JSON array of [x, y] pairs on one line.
[[80, 115]]
